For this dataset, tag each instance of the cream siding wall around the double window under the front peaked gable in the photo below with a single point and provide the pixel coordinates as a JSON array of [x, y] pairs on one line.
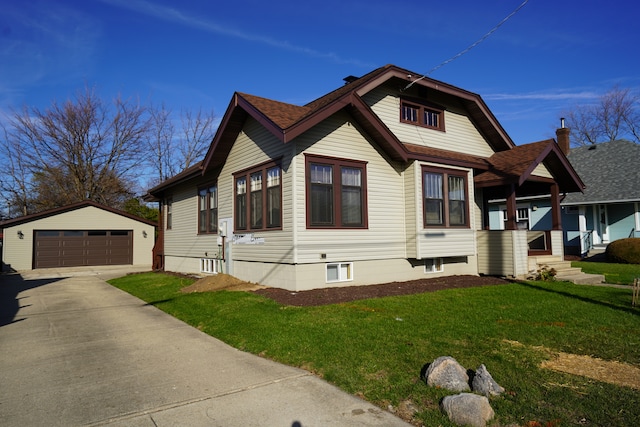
[[384, 238]]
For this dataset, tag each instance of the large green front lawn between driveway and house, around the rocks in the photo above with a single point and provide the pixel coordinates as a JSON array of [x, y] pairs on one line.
[[376, 348]]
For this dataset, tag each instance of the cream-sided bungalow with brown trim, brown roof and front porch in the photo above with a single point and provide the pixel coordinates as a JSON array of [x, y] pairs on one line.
[[386, 178]]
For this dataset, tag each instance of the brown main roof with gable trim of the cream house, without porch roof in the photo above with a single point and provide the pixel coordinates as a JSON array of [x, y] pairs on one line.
[[287, 121]]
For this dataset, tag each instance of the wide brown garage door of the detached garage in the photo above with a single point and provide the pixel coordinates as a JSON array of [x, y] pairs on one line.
[[71, 248]]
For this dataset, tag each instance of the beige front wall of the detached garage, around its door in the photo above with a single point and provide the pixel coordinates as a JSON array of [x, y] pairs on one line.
[[18, 253]]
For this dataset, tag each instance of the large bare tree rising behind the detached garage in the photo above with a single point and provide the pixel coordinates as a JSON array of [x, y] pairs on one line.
[[82, 149]]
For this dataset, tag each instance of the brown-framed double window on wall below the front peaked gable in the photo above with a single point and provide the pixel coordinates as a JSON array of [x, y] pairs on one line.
[[336, 193]]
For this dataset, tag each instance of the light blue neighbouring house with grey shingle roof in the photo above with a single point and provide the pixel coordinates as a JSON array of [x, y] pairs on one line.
[[609, 208]]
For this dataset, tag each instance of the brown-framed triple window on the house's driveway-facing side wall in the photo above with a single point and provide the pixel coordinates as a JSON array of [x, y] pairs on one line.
[[258, 198]]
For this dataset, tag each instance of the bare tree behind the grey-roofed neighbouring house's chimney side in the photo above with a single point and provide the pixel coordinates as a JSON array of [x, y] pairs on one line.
[[616, 115]]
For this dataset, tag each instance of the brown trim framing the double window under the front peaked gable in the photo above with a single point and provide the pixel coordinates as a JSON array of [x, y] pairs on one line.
[[336, 163]]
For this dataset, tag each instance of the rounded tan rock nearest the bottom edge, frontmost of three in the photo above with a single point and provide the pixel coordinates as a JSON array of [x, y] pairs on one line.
[[467, 409]]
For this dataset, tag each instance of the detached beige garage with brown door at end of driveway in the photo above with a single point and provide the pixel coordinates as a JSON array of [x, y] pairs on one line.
[[81, 234]]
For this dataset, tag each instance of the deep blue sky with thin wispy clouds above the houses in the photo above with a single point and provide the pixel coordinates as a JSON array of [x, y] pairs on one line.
[[190, 54]]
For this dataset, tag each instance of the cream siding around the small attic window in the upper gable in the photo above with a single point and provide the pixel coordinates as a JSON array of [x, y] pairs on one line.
[[460, 133]]
